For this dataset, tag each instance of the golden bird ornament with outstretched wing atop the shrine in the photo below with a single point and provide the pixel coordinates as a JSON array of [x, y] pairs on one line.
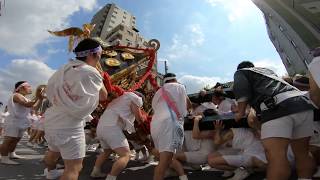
[[75, 34]]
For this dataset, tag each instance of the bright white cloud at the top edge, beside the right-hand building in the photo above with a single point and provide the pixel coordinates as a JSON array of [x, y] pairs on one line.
[[237, 9]]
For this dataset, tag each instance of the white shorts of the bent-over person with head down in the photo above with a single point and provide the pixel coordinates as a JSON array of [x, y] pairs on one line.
[[111, 137]]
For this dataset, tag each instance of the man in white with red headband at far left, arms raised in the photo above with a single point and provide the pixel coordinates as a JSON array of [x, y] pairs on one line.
[[17, 122]]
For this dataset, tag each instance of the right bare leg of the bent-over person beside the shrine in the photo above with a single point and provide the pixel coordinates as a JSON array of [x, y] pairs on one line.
[[122, 162]]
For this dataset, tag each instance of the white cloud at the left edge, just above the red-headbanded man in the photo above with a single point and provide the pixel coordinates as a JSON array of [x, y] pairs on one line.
[[33, 71]]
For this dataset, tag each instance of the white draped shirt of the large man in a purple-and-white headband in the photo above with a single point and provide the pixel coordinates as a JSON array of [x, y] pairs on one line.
[[74, 93]]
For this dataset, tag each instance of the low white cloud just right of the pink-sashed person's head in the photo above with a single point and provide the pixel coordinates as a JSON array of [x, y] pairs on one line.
[[195, 83]]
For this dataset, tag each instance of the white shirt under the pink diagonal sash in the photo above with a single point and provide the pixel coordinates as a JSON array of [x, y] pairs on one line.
[[160, 107]]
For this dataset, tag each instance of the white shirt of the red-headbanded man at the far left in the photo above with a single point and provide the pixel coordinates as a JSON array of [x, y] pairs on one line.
[[18, 114]]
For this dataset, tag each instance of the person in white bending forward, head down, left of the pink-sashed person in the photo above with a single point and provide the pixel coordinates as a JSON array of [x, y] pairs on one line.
[[119, 116]]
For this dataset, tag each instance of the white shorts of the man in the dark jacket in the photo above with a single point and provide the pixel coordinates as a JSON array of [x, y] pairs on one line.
[[294, 126]]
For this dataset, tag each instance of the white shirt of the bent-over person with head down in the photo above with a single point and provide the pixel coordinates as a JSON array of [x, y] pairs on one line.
[[119, 109]]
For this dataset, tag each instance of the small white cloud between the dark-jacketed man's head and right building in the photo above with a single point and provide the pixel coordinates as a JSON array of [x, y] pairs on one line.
[[276, 66]]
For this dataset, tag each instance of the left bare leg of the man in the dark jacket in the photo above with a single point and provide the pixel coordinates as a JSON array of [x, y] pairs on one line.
[[276, 151]]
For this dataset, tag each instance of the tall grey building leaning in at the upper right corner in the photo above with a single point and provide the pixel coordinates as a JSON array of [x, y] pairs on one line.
[[294, 29]]
